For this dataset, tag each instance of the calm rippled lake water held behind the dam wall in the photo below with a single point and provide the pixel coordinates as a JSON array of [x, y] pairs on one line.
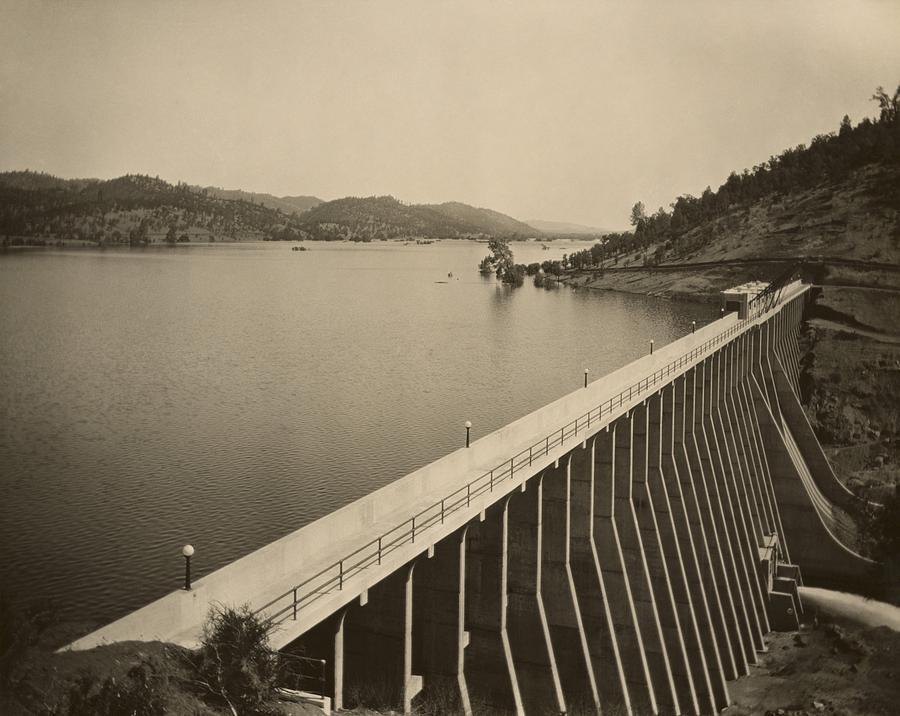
[[226, 395]]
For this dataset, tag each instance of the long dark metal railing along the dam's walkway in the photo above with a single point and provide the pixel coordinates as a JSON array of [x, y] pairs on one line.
[[333, 577]]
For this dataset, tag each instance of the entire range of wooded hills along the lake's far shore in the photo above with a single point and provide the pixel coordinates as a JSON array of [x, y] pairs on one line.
[[37, 208]]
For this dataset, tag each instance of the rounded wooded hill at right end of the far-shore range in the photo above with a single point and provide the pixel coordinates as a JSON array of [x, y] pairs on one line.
[[383, 217]]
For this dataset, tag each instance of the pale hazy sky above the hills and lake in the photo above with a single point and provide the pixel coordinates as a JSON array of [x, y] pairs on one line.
[[559, 110]]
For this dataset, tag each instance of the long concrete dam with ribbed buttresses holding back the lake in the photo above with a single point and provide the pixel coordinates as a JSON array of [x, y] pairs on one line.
[[625, 549]]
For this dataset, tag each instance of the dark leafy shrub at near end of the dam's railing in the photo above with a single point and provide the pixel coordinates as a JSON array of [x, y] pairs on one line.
[[235, 663]]
